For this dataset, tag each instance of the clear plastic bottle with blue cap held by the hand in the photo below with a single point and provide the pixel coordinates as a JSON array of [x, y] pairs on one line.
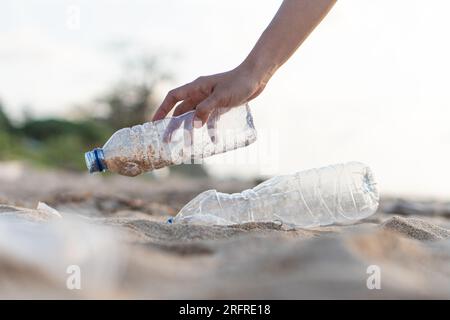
[[153, 145]]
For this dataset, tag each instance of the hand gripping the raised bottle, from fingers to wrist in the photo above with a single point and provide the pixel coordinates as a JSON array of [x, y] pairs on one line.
[[206, 94]]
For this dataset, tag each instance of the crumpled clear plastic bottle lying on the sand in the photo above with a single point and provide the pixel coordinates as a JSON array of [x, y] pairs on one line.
[[335, 194]]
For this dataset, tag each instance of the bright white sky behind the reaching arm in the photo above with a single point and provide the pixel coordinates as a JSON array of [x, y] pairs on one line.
[[370, 84]]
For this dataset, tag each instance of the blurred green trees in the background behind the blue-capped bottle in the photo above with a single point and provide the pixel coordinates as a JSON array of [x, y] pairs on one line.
[[61, 143]]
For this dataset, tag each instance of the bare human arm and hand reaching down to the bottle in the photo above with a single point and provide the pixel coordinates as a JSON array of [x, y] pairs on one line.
[[292, 24]]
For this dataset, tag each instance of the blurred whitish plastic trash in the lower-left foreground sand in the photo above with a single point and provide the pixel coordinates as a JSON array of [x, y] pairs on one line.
[[54, 249]]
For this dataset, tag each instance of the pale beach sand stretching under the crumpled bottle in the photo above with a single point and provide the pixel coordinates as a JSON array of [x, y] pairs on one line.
[[115, 230]]
